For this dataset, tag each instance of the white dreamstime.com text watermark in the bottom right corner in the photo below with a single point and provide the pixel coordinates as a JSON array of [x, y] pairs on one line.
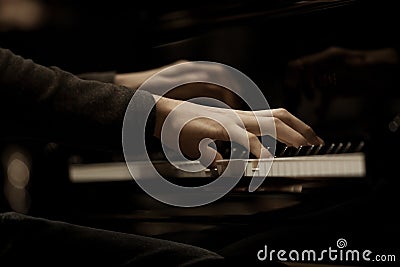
[[338, 253]]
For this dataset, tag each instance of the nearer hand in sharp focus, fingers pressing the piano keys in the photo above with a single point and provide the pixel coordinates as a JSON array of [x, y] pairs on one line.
[[243, 127]]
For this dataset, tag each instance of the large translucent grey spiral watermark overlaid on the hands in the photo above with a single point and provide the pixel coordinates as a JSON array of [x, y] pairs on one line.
[[133, 134]]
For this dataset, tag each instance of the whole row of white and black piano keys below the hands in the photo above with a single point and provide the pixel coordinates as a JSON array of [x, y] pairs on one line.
[[313, 162]]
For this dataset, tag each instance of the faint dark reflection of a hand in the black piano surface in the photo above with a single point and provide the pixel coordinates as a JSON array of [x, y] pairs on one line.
[[340, 69]]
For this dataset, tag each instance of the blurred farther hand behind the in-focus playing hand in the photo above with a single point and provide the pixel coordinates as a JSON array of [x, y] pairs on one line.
[[187, 91]]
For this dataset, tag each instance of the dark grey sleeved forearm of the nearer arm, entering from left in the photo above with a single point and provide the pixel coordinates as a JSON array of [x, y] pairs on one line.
[[62, 105]]
